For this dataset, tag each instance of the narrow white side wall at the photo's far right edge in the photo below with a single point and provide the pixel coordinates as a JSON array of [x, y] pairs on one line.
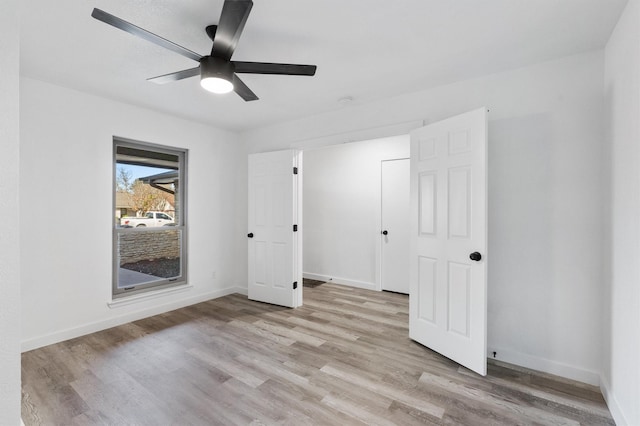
[[621, 375]]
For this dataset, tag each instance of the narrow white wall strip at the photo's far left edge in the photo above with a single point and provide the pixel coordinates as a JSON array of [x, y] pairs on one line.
[[9, 231]]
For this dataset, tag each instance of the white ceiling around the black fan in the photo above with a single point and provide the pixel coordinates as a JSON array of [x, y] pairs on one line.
[[364, 49]]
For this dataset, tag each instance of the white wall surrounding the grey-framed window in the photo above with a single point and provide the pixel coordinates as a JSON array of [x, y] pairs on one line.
[[66, 212]]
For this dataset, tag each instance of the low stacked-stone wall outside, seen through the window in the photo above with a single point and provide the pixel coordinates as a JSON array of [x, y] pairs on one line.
[[137, 246]]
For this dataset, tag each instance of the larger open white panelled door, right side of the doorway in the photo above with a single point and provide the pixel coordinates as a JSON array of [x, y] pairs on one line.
[[448, 286]]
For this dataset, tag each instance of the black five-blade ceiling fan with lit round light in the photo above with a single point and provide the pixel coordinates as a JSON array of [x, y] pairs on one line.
[[218, 73]]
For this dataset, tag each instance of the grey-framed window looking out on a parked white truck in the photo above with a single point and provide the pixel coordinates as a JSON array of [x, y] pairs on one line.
[[149, 241]]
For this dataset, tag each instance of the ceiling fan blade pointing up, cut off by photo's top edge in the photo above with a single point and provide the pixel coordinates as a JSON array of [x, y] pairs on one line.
[[232, 19]]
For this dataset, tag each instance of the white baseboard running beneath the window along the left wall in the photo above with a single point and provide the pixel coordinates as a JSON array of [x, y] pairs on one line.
[[92, 327]]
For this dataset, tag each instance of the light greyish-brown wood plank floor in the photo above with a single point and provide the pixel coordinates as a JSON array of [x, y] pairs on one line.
[[342, 359]]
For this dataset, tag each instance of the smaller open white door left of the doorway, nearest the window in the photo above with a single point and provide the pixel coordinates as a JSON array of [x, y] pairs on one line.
[[275, 275]]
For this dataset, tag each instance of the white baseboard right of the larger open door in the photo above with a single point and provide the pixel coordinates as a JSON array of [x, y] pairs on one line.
[[545, 365]]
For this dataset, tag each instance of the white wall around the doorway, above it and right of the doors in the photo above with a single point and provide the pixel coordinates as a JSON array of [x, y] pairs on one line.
[[545, 192]]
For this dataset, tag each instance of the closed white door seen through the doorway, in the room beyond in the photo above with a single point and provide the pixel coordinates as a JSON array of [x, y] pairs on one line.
[[395, 226]]
